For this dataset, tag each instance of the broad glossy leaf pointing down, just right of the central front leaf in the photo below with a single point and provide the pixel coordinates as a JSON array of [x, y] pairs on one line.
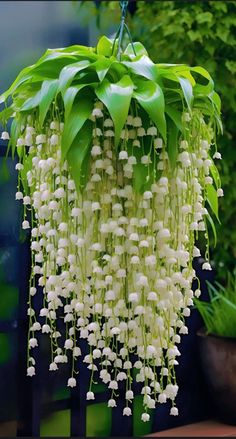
[[150, 97]]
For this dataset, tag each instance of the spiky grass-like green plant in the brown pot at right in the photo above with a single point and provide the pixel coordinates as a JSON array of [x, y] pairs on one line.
[[219, 314]]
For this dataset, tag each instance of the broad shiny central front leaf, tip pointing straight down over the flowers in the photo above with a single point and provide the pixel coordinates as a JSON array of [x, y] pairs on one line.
[[116, 97]]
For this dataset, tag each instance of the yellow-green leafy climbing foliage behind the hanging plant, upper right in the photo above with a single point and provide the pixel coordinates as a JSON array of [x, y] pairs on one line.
[[202, 33]]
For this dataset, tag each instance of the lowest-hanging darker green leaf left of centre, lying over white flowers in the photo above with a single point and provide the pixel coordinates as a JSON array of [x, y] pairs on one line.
[[78, 155]]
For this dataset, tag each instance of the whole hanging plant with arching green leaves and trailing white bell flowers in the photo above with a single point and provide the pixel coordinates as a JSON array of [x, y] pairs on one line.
[[117, 180]]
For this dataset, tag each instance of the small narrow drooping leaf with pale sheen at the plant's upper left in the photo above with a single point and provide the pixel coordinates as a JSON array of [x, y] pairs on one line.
[[47, 94]]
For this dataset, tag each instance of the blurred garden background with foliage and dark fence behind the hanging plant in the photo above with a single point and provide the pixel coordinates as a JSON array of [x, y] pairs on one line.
[[192, 32]]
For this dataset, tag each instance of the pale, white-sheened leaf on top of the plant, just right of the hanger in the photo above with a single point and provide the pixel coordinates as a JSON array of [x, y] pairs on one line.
[[143, 66]]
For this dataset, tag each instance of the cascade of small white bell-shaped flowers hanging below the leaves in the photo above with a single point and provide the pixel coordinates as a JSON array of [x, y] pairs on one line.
[[114, 260]]
